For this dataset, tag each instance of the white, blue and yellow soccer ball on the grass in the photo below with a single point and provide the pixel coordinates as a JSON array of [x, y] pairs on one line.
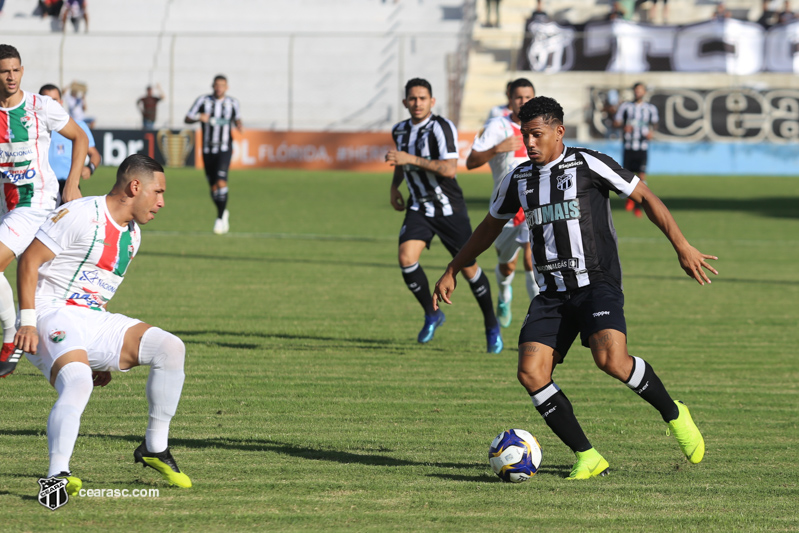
[[515, 455]]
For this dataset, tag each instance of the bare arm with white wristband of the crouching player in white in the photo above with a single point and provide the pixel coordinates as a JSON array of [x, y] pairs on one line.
[[27, 338]]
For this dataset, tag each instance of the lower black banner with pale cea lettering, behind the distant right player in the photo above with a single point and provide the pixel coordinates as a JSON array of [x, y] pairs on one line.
[[730, 114]]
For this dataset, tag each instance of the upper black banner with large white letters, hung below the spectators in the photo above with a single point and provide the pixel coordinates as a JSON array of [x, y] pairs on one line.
[[728, 45]]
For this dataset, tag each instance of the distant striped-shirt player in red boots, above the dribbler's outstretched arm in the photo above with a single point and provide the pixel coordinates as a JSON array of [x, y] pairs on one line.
[[639, 119]]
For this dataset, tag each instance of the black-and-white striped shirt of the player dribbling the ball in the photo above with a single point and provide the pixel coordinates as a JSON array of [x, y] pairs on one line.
[[568, 213]]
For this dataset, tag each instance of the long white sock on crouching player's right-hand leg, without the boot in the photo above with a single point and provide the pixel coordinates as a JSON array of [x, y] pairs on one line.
[[165, 353]]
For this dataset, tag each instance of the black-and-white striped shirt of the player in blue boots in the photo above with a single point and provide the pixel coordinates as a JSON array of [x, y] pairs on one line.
[[435, 138]]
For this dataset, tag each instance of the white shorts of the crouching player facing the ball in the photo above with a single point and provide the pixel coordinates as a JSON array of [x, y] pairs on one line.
[[68, 328]]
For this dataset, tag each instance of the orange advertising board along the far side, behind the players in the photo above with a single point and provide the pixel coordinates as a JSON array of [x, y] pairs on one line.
[[362, 152]]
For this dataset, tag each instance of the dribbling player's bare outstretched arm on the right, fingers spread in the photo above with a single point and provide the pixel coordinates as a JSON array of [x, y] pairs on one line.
[[691, 260]]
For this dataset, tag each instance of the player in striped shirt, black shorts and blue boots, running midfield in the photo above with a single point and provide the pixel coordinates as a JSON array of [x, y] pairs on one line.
[[427, 158]]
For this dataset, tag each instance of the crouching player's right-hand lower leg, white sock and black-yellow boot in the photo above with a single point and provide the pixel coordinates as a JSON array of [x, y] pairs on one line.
[[165, 354]]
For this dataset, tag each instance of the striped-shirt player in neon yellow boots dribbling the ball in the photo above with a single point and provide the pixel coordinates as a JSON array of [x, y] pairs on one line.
[[564, 194]]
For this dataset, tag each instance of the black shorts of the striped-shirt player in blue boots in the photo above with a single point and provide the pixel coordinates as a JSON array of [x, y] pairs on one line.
[[453, 230]]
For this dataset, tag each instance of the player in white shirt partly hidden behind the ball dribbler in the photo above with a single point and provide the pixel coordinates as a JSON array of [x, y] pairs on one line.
[[500, 144]]
